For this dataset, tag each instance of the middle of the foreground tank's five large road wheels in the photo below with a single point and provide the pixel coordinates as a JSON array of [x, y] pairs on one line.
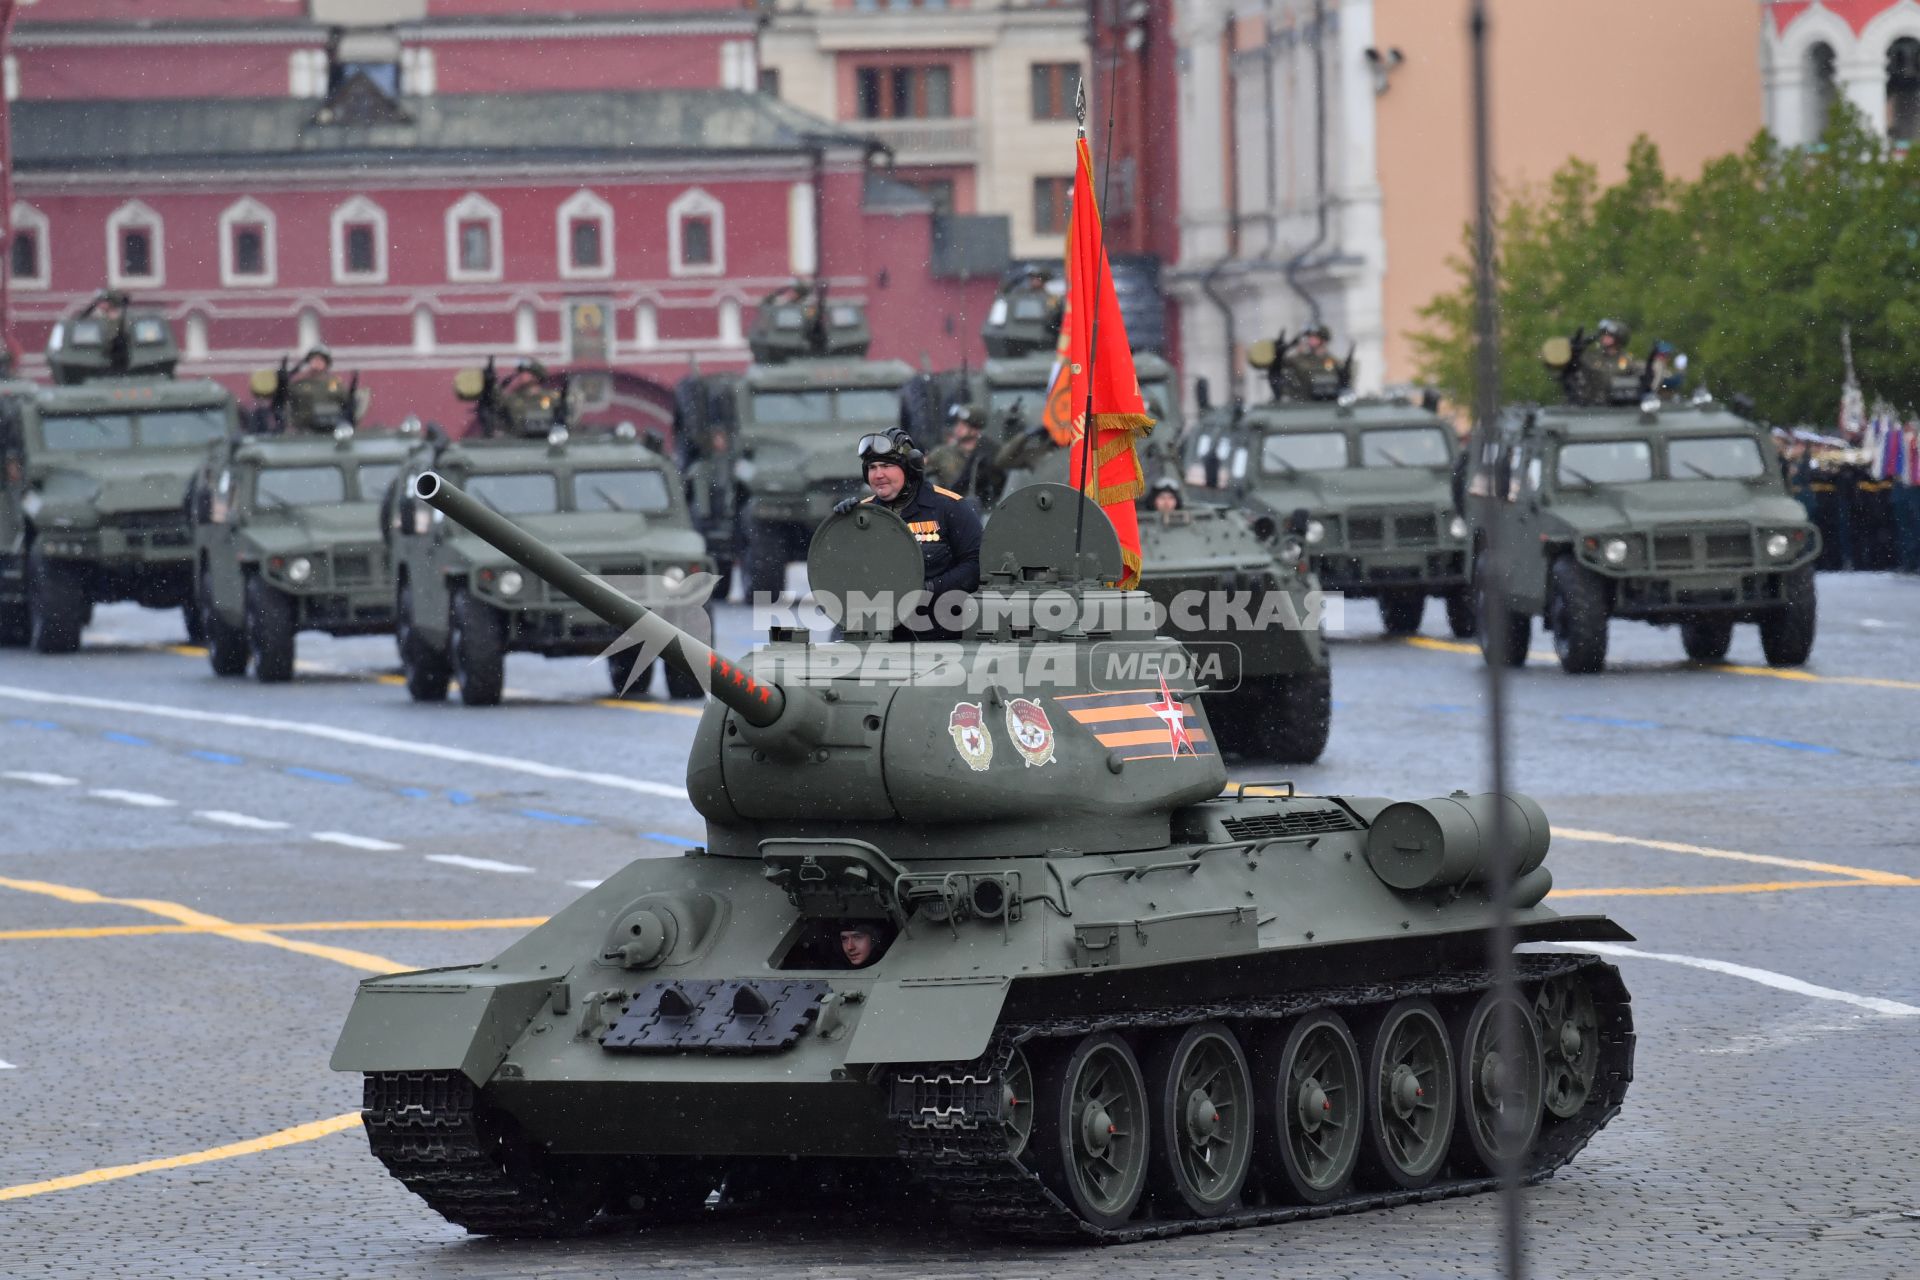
[[1314, 1108]]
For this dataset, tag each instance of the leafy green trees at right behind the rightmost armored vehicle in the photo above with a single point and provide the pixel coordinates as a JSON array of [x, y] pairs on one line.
[[1752, 268]]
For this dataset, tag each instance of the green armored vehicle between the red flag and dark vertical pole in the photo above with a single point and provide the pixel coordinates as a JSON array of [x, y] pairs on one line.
[[1374, 481]]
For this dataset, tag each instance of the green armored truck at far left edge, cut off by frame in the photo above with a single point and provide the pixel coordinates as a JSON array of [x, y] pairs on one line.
[[95, 471]]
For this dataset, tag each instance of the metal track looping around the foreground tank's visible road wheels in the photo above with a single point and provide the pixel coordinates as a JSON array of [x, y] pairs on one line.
[[957, 1149]]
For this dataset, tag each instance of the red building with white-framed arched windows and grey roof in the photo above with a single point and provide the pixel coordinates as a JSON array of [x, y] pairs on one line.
[[464, 179]]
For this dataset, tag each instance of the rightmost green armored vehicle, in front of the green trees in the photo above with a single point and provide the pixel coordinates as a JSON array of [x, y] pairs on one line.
[[1671, 513]]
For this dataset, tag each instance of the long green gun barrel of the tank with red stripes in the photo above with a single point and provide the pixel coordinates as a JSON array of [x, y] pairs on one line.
[[756, 701]]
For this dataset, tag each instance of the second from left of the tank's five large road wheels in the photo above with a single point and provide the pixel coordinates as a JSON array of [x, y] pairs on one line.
[[1203, 1104]]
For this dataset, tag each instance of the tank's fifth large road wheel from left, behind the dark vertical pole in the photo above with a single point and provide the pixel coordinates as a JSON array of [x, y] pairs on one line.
[[1499, 1081]]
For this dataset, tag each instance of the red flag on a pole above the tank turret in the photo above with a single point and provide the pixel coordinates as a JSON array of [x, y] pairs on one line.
[[1093, 348]]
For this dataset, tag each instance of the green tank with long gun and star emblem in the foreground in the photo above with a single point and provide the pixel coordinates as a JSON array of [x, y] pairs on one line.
[[1113, 995]]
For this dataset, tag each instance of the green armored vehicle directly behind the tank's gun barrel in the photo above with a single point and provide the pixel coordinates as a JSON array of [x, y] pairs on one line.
[[460, 607]]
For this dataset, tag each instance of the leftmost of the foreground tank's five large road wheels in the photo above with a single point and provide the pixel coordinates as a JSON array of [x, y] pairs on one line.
[[1092, 1129]]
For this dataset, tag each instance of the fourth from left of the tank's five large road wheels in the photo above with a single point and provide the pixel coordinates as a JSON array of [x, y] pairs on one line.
[[1410, 1097]]
